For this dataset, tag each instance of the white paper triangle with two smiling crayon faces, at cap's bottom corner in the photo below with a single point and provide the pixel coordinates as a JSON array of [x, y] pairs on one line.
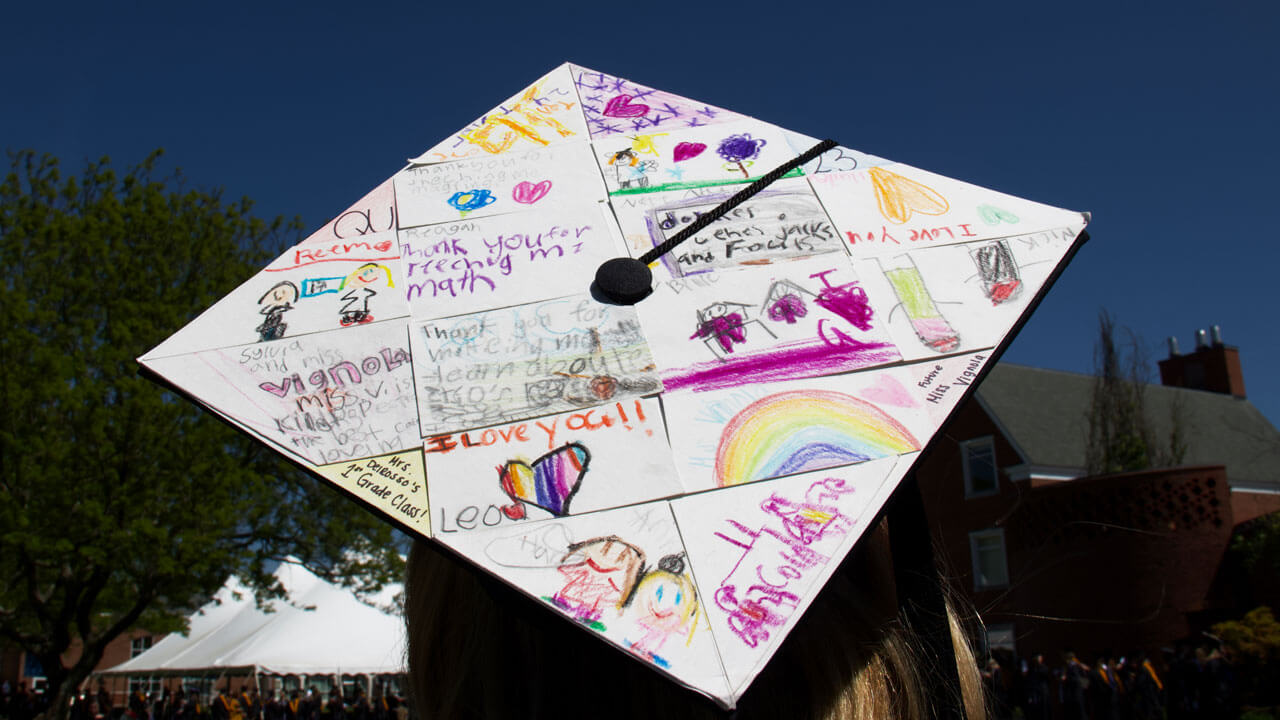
[[623, 575]]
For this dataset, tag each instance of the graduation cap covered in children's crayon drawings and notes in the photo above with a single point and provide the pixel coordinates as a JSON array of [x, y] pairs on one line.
[[678, 453]]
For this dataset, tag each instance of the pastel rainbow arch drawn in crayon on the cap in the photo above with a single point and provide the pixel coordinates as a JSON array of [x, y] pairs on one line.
[[806, 430]]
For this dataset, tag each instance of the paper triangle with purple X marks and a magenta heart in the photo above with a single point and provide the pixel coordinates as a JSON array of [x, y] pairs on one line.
[[619, 107]]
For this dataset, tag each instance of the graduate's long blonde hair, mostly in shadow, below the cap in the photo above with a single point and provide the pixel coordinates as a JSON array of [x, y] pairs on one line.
[[481, 650]]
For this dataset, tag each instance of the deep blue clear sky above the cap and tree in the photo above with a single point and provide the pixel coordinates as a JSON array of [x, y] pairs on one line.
[[1160, 120]]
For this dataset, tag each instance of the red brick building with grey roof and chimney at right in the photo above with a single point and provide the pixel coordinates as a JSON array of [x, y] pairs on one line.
[[1054, 559]]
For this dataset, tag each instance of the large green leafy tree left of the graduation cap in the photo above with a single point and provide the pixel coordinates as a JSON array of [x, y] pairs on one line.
[[121, 504]]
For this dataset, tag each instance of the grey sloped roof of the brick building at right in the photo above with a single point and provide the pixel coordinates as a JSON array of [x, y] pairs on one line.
[[1045, 413]]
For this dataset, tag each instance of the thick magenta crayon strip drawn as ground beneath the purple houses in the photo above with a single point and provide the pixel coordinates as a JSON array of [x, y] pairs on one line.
[[785, 362]]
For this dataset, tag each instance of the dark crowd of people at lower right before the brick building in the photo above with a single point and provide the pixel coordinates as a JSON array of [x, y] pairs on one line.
[[1186, 685]]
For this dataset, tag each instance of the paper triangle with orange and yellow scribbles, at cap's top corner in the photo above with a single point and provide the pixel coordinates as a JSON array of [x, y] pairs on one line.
[[546, 113]]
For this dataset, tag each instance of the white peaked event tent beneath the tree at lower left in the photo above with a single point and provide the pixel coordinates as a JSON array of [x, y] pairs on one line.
[[321, 630]]
